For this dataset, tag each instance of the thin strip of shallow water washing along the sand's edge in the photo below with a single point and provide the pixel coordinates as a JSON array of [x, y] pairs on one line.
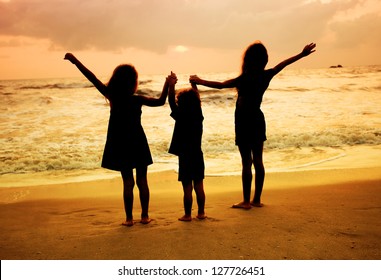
[[350, 157]]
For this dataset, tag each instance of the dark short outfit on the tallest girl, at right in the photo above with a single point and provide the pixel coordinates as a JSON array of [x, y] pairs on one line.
[[250, 125]]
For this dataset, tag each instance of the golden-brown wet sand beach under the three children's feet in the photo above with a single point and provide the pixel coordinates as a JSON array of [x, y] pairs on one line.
[[309, 214]]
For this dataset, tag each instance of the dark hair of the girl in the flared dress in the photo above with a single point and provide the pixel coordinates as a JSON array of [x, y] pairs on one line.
[[124, 80]]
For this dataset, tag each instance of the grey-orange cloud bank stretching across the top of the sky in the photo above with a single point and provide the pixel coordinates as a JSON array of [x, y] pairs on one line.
[[155, 25]]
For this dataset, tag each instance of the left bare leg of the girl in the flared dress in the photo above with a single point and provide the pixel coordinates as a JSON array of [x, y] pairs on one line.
[[128, 195]]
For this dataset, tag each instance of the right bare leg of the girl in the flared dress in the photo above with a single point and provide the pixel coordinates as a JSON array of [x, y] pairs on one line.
[[144, 194]]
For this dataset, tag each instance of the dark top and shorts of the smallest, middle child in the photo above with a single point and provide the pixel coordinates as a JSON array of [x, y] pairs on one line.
[[186, 144]]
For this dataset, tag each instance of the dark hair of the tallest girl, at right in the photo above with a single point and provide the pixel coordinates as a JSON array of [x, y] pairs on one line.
[[255, 58]]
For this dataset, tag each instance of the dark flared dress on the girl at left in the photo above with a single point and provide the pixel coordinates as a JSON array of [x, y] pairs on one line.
[[126, 146]]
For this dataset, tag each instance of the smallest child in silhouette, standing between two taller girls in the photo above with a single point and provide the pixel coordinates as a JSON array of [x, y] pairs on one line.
[[186, 144]]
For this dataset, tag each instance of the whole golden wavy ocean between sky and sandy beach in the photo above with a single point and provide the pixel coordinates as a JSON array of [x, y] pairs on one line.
[[57, 127]]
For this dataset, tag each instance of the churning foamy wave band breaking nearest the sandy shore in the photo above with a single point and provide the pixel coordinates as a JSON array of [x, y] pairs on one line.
[[86, 153]]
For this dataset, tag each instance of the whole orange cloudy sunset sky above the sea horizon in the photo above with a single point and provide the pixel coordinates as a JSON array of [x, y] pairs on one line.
[[186, 36]]
